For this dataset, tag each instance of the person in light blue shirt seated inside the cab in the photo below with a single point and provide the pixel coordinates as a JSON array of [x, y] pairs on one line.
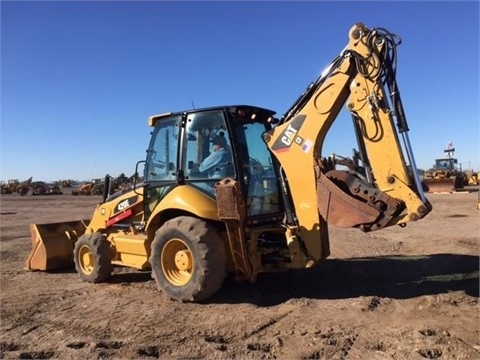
[[216, 163]]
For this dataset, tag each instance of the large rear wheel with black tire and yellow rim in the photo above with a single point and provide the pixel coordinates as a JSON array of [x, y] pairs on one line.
[[188, 259]]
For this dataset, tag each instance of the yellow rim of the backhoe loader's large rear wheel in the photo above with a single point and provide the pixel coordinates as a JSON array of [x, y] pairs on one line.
[[177, 262]]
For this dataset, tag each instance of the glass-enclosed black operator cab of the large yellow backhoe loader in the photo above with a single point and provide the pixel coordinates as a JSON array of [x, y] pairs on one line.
[[198, 148]]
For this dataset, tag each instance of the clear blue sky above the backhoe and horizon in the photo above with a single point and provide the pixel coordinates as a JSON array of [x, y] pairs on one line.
[[79, 79]]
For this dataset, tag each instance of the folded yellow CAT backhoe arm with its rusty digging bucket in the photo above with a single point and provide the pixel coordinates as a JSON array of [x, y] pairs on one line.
[[386, 193]]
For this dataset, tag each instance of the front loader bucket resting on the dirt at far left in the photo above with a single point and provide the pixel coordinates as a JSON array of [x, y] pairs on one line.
[[52, 244]]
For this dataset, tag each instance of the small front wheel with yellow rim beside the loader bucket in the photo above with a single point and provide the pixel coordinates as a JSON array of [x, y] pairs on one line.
[[92, 257]]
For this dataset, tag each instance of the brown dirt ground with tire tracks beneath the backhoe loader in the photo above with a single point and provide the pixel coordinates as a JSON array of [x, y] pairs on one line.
[[410, 293]]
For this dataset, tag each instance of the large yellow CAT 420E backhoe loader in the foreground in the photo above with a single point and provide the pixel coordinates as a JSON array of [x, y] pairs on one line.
[[264, 207]]
